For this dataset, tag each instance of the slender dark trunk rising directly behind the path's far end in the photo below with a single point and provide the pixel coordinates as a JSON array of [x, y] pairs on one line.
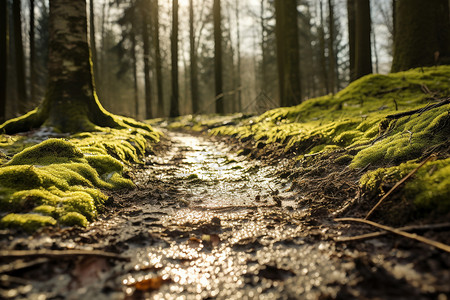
[[174, 101]]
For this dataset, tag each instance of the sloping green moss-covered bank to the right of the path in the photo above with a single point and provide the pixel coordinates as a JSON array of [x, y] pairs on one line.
[[354, 124]]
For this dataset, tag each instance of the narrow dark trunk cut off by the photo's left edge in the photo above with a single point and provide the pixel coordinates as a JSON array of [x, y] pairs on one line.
[[3, 57]]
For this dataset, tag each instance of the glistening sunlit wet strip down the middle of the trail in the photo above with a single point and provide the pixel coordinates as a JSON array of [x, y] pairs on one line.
[[262, 253]]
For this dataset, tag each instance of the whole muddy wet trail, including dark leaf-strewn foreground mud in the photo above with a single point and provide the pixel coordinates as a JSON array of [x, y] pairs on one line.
[[205, 223]]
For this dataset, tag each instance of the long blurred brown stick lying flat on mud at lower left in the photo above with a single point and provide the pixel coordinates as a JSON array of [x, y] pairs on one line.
[[59, 254]]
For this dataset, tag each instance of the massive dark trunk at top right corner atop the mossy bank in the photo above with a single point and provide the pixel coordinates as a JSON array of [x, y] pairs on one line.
[[422, 34]]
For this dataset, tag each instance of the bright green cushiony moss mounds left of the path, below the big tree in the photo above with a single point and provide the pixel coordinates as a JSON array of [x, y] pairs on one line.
[[60, 180]]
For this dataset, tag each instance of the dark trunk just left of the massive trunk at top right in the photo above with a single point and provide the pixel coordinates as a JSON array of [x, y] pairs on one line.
[[363, 53]]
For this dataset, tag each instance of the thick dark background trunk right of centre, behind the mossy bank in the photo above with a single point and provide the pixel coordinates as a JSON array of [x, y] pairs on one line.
[[288, 52]]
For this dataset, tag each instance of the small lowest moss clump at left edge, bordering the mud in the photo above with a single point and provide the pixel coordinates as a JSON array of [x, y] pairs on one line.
[[29, 222]]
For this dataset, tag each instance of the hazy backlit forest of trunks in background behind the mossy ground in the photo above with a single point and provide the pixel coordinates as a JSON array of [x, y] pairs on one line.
[[155, 58]]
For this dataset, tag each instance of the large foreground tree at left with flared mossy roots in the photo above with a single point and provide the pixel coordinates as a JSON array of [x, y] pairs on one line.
[[71, 103]]
